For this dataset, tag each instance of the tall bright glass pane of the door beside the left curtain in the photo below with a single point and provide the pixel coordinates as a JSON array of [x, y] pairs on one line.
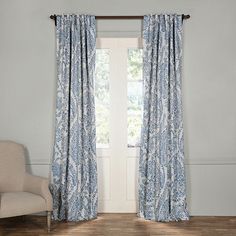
[[102, 97]]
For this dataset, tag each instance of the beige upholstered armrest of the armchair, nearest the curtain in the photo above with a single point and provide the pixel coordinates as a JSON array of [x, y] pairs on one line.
[[38, 185]]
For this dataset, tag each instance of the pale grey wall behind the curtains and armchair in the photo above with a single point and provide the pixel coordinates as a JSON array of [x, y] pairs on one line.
[[28, 78]]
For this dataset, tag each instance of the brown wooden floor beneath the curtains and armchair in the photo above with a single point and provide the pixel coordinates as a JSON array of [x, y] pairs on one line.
[[121, 225]]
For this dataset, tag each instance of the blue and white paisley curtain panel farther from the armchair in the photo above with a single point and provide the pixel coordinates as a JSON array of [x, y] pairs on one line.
[[162, 191]]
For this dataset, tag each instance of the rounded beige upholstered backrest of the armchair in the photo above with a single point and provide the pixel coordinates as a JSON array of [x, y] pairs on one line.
[[12, 166]]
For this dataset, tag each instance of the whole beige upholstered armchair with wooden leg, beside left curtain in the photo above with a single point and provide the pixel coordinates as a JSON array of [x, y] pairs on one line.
[[20, 192]]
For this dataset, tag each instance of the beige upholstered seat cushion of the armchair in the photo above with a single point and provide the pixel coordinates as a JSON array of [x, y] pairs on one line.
[[20, 203]]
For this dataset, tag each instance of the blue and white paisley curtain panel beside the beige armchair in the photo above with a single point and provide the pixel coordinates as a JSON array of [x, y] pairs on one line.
[[74, 168]]
